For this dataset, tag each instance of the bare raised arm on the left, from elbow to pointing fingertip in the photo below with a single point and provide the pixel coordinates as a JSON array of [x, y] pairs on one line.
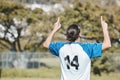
[[57, 26]]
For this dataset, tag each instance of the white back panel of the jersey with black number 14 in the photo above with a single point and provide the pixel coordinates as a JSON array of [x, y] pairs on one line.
[[75, 63]]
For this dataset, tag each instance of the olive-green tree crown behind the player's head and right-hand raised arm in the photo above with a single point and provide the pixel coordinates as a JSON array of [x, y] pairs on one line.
[[87, 16]]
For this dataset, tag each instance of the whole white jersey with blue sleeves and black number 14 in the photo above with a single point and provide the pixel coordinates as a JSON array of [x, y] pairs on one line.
[[75, 58]]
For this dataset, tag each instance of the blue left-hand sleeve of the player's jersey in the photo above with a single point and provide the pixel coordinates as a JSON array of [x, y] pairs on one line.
[[55, 47]]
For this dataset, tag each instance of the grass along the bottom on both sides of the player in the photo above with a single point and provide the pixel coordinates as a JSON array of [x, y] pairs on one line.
[[47, 74]]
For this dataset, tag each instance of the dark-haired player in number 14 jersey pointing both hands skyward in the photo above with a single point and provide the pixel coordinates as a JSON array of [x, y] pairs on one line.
[[74, 55]]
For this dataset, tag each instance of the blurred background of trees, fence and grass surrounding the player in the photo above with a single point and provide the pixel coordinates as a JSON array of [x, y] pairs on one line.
[[25, 24]]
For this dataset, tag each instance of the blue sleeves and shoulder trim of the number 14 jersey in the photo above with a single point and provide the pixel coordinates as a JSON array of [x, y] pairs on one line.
[[92, 49]]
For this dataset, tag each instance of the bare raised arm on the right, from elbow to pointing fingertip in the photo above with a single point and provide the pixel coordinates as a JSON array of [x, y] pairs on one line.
[[106, 41]]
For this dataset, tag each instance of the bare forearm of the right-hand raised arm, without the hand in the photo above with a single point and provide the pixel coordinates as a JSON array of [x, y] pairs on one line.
[[106, 41]]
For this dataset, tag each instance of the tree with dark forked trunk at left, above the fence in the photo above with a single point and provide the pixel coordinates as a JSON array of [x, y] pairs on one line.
[[15, 19]]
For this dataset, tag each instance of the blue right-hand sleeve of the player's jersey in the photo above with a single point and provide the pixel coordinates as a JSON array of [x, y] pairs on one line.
[[93, 49]]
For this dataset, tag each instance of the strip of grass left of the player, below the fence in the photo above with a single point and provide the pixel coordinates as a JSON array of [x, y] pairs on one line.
[[41, 72]]
